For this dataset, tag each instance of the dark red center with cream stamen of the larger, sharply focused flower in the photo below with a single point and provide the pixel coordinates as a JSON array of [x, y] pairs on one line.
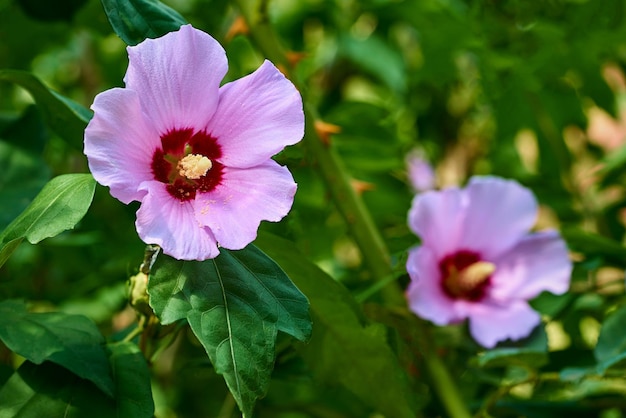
[[187, 163]]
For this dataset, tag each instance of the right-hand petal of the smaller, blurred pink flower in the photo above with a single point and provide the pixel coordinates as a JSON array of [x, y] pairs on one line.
[[538, 262]]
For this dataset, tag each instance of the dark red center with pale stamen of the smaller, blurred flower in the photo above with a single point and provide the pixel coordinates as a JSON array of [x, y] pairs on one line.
[[465, 276]]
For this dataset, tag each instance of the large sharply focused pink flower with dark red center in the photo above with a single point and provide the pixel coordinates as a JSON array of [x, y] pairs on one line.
[[196, 155]]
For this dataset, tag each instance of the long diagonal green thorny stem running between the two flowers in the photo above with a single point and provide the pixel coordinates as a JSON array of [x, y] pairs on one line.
[[349, 203]]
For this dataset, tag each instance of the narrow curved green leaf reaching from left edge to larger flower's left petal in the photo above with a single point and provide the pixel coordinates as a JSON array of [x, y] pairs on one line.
[[66, 117]]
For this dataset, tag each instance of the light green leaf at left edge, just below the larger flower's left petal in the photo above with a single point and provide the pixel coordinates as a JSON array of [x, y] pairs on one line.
[[58, 207]]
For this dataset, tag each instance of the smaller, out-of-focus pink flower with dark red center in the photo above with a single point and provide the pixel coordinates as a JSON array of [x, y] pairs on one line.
[[478, 260]]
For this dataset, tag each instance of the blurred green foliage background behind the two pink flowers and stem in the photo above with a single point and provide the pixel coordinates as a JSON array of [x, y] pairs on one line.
[[527, 90]]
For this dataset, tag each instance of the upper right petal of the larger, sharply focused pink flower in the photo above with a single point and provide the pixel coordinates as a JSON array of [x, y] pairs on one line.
[[258, 115]]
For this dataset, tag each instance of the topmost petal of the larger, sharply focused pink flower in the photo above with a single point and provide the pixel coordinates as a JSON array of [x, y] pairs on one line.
[[177, 77]]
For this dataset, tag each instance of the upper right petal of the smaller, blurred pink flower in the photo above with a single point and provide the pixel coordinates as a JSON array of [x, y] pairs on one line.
[[499, 213]]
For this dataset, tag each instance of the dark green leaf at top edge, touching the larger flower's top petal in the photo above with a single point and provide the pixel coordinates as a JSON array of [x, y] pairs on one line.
[[136, 20]]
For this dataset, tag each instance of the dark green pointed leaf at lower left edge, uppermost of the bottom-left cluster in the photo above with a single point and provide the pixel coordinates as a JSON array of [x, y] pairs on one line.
[[72, 341]]
